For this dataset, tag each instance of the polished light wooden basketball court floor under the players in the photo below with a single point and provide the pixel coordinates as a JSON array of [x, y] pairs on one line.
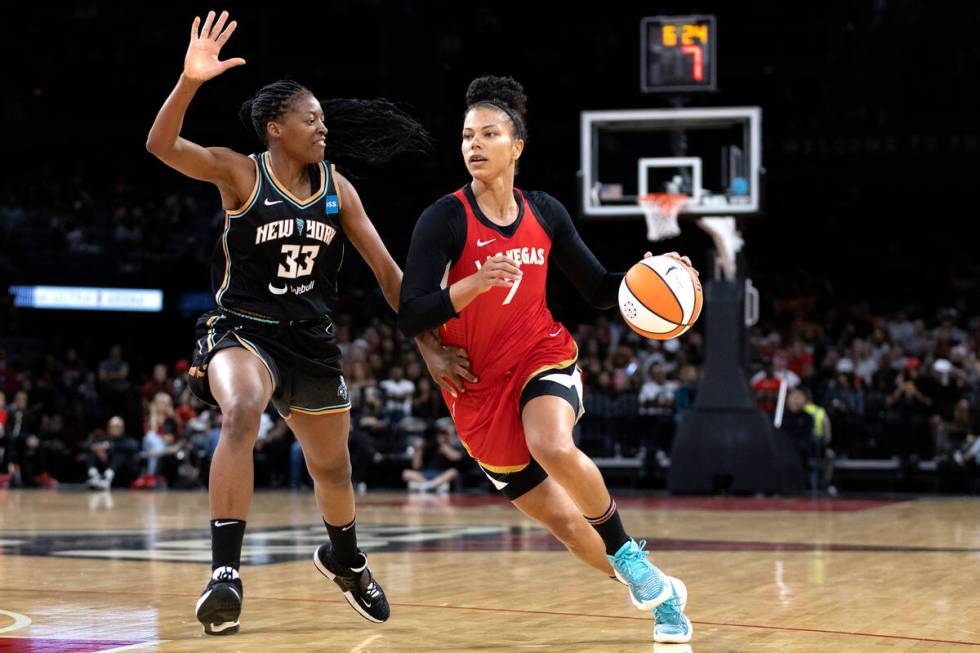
[[121, 572]]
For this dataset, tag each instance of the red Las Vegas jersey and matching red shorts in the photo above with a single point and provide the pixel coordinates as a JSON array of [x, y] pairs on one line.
[[509, 335]]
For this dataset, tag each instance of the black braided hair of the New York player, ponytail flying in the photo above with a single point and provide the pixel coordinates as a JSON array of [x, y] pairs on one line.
[[362, 133]]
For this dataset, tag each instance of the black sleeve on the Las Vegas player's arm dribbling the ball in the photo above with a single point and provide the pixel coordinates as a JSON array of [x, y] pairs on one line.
[[599, 287]]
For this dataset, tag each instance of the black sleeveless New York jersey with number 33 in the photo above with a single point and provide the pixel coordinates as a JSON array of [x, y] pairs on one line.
[[279, 255]]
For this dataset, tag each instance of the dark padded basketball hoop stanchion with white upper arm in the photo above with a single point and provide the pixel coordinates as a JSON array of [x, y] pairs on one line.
[[725, 444]]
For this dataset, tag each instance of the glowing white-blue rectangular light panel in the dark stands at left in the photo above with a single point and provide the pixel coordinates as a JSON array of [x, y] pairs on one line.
[[81, 298]]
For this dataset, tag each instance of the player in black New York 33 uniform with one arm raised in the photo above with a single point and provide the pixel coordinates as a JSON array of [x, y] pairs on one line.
[[275, 281]]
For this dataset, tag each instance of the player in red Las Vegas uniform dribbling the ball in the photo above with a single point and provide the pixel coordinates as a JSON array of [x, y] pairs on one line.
[[476, 270]]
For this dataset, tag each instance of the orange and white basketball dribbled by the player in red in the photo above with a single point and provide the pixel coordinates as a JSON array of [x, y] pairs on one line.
[[660, 298]]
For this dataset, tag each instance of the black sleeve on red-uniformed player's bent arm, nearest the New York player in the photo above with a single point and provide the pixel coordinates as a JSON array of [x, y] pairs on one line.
[[437, 242]]
